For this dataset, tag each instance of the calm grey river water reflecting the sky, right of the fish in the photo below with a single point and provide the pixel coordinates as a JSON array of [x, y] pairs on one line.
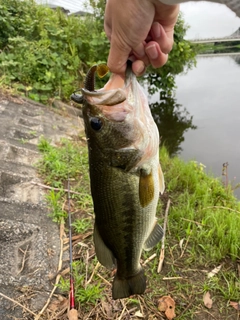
[[211, 94]]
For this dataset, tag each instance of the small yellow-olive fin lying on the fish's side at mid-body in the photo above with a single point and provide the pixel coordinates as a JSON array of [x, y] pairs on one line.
[[146, 188]]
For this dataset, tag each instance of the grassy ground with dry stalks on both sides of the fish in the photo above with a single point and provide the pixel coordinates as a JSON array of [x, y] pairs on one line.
[[203, 214]]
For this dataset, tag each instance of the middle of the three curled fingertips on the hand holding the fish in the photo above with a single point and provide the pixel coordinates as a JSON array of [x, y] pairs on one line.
[[156, 57]]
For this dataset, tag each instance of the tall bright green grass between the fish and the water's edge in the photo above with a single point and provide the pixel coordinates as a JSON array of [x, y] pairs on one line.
[[203, 209]]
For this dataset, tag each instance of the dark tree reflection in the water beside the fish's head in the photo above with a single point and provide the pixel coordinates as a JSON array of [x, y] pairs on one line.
[[173, 121]]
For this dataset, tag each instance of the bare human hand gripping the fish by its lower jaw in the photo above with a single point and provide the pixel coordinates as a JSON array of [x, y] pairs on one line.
[[139, 29]]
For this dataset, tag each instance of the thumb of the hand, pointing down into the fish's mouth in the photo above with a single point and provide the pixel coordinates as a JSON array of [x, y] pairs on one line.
[[118, 56]]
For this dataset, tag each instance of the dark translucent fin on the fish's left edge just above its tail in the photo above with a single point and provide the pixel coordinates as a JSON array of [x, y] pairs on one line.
[[104, 255]]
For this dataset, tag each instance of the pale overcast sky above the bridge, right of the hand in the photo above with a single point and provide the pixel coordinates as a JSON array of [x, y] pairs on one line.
[[208, 20]]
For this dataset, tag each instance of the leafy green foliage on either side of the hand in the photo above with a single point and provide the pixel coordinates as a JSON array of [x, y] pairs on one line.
[[45, 53]]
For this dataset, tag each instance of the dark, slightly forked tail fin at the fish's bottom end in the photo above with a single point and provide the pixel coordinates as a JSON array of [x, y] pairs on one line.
[[123, 288]]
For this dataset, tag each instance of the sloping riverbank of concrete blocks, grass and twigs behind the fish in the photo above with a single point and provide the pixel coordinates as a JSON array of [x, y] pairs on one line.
[[202, 233]]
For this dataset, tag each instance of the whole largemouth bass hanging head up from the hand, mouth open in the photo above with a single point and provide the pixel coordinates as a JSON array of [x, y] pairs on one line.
[[126, 177]]
